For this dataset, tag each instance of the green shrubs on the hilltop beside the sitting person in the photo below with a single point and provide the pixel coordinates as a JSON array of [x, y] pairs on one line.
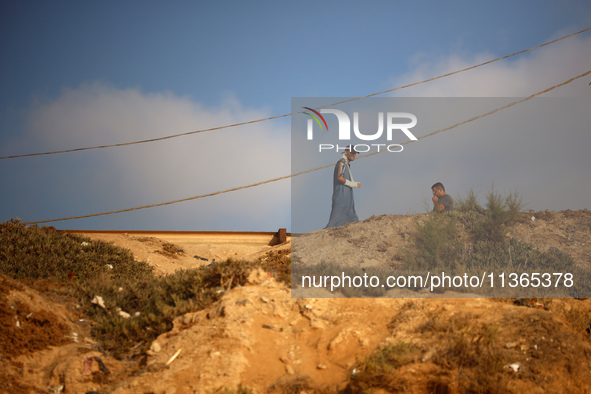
[[472, 241]]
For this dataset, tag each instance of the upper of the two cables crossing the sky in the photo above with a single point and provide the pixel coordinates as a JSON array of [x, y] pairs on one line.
[[293, 113]]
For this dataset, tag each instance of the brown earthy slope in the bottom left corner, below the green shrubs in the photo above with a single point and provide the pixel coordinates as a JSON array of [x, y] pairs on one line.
[[60, 357]]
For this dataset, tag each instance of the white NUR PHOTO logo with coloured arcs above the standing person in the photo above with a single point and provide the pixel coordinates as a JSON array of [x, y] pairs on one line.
[[394, 122]]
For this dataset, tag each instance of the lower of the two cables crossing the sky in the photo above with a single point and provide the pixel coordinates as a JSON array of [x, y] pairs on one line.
[[317, 168]]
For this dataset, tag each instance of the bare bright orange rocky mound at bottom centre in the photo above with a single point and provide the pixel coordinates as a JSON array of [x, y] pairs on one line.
[[260, 321]]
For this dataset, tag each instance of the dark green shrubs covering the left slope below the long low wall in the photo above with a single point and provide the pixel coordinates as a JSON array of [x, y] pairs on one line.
[[129, 304]]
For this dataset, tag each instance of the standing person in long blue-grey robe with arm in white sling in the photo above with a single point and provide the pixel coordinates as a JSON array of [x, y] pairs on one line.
[[343, 205]]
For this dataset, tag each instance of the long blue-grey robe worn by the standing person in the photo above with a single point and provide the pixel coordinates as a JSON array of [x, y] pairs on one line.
[[343, 205]]
